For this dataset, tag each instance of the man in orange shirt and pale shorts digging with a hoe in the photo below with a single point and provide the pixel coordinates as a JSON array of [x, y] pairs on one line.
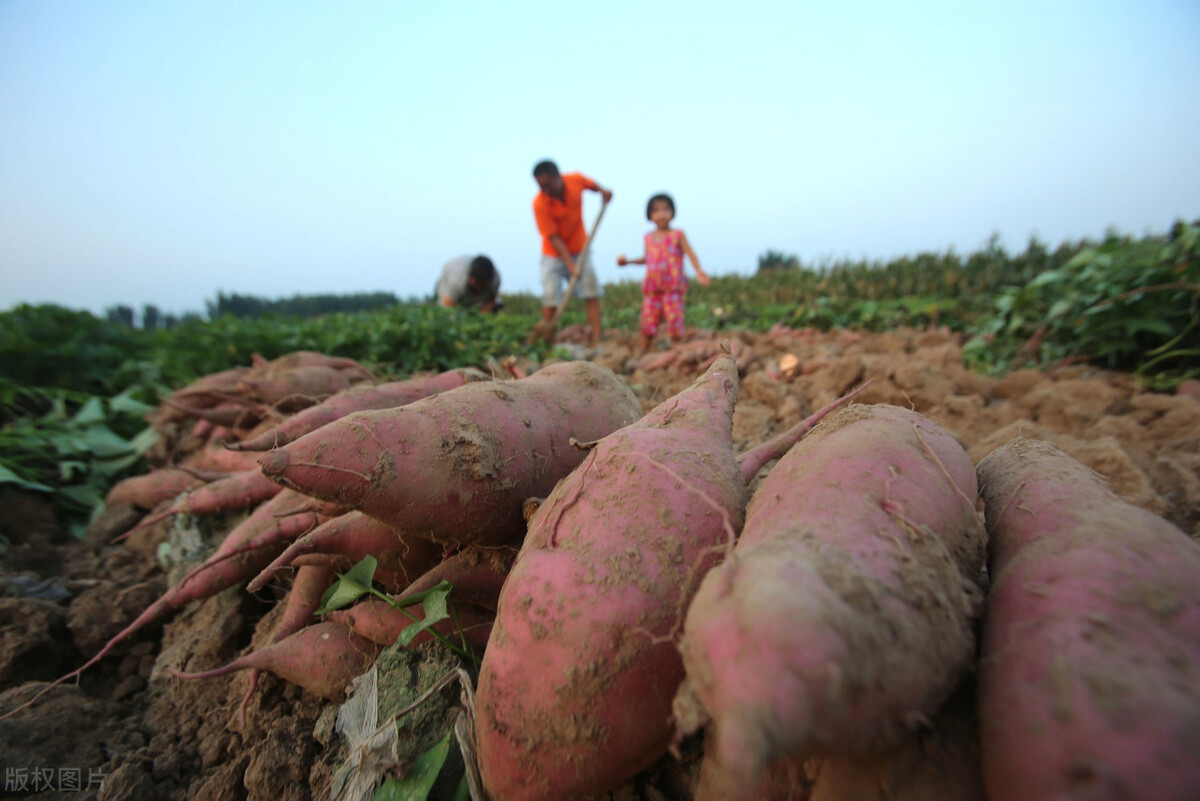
[[559, 209]]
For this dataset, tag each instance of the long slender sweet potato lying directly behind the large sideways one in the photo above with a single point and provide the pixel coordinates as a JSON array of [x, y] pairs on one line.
[[364, 398]]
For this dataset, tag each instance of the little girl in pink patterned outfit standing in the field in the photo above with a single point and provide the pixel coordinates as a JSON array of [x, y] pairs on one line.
[[665, 284]]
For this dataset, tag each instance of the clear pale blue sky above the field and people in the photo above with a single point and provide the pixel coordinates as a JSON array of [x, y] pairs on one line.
[[160, 153]]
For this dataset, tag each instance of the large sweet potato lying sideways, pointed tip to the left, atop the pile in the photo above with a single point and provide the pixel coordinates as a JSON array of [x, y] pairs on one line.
[[457, 467]]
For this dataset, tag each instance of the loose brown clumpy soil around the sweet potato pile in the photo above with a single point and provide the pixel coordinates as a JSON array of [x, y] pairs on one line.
[[131, 731]]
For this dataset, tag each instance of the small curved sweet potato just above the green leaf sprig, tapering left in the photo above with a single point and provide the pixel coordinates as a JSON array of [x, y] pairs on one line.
[[357, 535]]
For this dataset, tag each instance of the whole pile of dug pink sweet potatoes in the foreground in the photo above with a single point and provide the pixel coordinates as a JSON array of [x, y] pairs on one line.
[[881, 619]]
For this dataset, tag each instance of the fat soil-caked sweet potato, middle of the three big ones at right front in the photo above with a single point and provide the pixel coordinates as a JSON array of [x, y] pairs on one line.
[[845, 612]]
